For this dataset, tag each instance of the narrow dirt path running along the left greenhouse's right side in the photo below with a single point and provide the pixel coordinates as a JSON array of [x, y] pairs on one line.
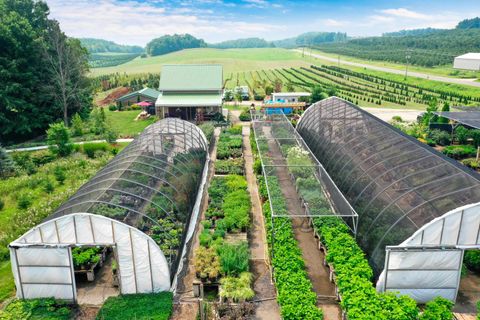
[[185, 304]]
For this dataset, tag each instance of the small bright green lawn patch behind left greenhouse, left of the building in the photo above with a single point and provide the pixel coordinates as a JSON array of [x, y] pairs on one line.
[[124, 122]]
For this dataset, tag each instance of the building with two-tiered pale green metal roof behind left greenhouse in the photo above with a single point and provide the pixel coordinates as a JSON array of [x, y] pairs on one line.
[[190, 91]]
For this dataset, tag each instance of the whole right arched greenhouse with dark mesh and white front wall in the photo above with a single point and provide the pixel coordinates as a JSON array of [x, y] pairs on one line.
[[418, 210]]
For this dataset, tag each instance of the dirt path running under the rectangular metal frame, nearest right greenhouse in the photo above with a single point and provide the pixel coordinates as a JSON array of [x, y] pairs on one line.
[[313, 257]]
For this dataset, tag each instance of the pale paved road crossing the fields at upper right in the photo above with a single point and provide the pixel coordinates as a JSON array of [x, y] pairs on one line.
[[468, 82]]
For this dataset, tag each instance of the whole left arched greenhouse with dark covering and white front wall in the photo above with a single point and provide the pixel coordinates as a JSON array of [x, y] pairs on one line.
[[143, 204]]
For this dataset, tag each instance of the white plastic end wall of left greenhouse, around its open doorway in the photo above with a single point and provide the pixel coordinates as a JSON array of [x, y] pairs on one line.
[[43, 254]]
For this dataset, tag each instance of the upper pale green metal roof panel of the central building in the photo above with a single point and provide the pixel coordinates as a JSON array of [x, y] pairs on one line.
[[191, 77]]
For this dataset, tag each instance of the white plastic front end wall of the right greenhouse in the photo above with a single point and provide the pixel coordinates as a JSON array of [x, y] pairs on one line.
[[428, 264]]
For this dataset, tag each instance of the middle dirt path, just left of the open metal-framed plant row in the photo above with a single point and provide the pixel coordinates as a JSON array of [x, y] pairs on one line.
[[263, 285]]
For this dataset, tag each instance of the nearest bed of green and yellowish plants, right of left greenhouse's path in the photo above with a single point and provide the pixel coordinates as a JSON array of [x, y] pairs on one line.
[[228, 212]]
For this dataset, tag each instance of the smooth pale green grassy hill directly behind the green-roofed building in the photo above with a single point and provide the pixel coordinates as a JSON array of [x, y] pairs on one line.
[[233, 60]]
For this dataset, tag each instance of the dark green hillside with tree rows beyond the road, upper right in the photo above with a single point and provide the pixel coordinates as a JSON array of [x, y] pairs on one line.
[[425, 47]]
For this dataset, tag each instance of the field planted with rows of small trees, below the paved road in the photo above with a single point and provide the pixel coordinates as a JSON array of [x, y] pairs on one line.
[[363, 89]]
